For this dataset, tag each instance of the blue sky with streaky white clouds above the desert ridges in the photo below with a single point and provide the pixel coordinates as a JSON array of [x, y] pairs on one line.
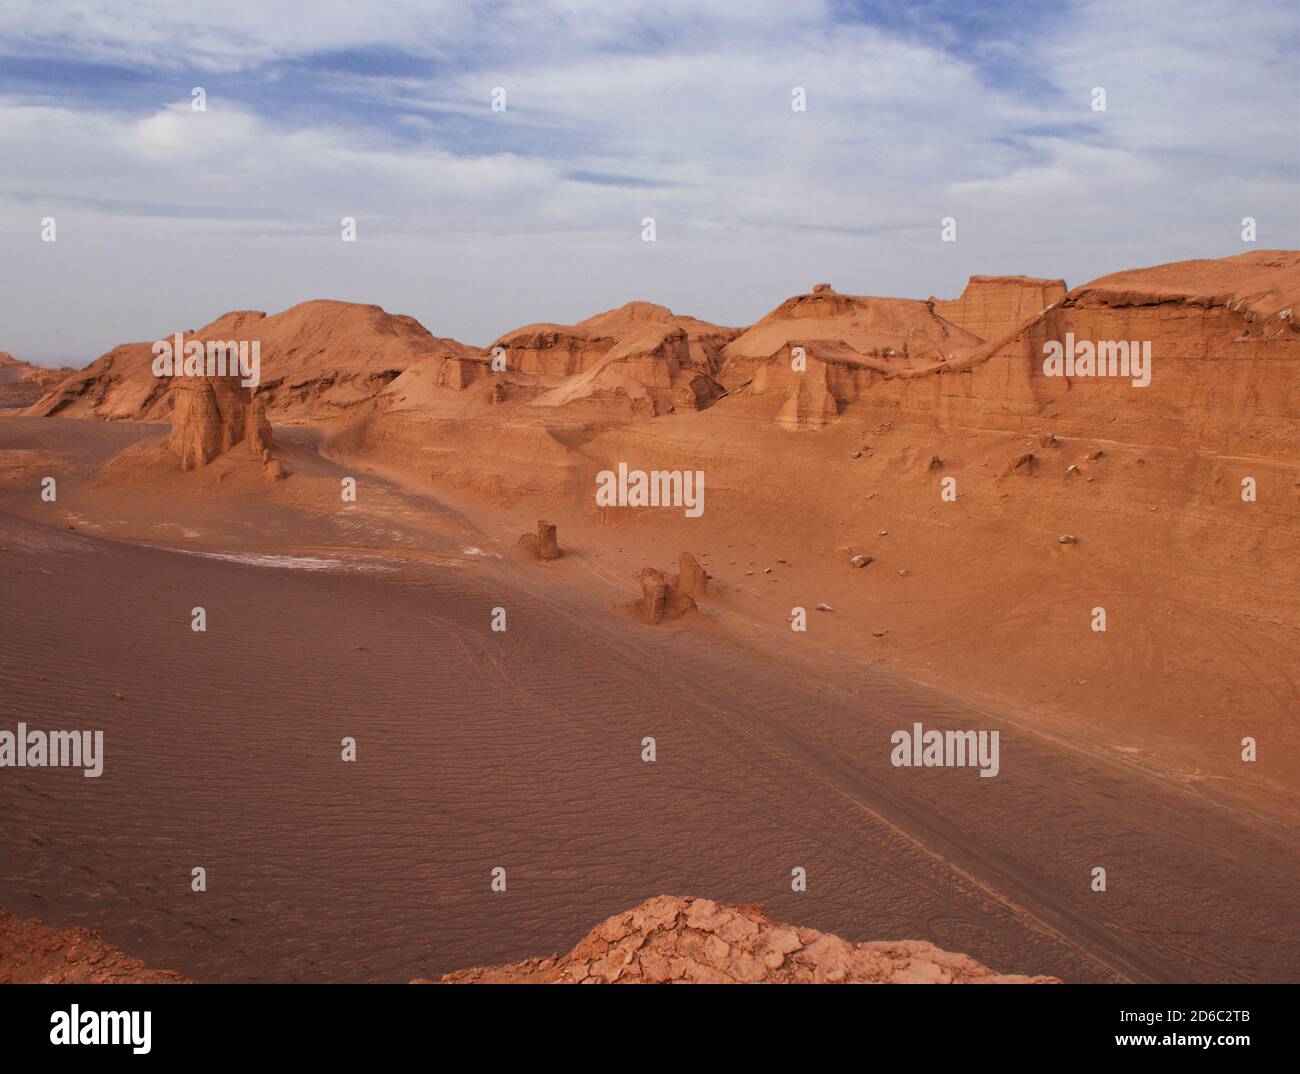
[[476, 222]]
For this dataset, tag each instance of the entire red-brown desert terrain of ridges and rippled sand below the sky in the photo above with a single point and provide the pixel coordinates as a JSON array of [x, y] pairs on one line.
[[569, 707]]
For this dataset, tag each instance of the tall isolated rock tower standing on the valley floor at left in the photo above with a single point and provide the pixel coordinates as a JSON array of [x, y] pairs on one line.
[[211, 415]]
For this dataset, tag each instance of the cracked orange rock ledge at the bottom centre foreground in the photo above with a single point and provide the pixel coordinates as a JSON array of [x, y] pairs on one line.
[[696, 941]]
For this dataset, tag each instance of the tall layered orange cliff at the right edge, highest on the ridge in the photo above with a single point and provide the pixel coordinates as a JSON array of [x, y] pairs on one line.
[[1225, 363]]
